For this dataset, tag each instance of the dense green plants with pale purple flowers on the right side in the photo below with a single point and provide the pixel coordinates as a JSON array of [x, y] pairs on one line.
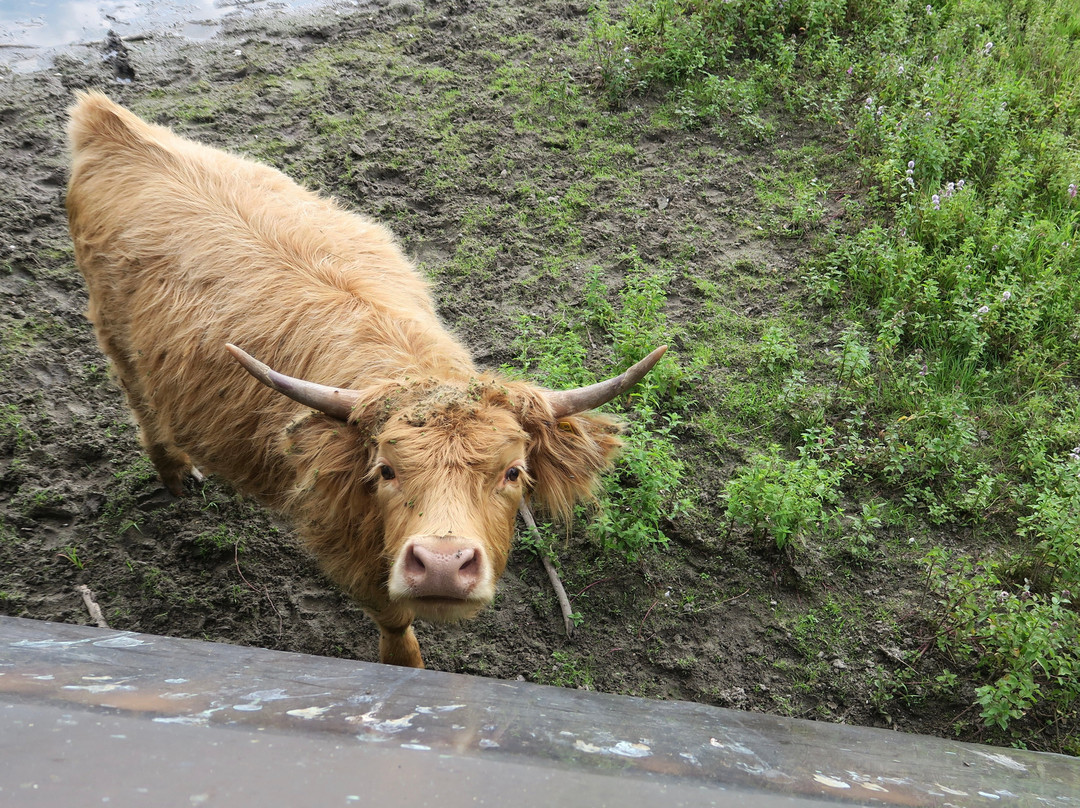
[[954, 388]]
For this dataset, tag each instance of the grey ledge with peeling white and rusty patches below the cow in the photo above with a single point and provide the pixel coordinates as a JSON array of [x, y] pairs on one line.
[[91, 717]]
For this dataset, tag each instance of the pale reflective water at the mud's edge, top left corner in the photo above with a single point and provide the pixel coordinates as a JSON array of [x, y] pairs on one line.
[[34, 32]]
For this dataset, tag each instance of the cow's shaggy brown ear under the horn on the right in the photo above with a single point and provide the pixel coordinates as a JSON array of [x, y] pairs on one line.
[[566, 457]]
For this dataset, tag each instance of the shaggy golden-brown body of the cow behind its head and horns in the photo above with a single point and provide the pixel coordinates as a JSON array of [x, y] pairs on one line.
[[186, 248]]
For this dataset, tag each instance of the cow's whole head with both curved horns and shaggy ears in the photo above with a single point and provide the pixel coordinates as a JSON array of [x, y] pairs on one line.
[[428, 476]]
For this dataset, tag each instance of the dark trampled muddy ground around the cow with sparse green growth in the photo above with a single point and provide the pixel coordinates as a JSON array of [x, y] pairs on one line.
[[715, 618]]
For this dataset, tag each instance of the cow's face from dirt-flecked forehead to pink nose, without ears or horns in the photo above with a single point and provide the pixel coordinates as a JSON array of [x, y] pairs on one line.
[[449, 481]]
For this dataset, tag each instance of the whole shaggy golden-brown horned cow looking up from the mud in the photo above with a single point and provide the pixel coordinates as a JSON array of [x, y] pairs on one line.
[[406, 477]]
